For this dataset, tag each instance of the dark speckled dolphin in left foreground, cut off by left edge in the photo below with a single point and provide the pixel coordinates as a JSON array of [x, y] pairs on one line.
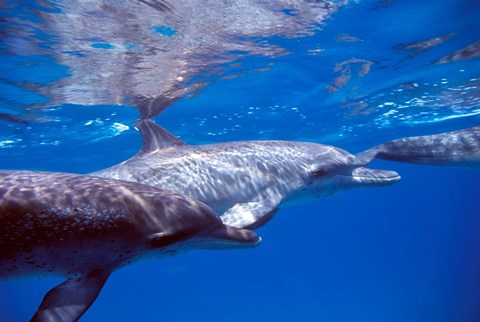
[[84, 228]]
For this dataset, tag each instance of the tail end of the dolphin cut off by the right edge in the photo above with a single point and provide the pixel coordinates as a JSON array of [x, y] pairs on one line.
[[457, 148]]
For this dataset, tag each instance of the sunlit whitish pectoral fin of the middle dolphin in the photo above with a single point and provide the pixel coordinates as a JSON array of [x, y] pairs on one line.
[[250, 215]]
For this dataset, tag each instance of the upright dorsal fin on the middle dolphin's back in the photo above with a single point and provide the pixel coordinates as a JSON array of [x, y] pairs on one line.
[[156, 137]]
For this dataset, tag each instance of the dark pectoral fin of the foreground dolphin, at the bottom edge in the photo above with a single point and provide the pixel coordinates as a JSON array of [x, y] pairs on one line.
[[68, 301]]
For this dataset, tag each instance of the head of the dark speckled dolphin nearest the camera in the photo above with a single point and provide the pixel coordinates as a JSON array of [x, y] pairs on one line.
[[189, 224]]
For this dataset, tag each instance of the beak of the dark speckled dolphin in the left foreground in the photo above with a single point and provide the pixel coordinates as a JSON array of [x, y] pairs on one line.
[[231, 237]]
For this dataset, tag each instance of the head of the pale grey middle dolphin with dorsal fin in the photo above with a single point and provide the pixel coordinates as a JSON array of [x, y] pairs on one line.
[[329, 170]]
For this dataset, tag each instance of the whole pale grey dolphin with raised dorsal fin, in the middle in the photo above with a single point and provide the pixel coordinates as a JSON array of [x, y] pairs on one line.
[[247, 181]]
